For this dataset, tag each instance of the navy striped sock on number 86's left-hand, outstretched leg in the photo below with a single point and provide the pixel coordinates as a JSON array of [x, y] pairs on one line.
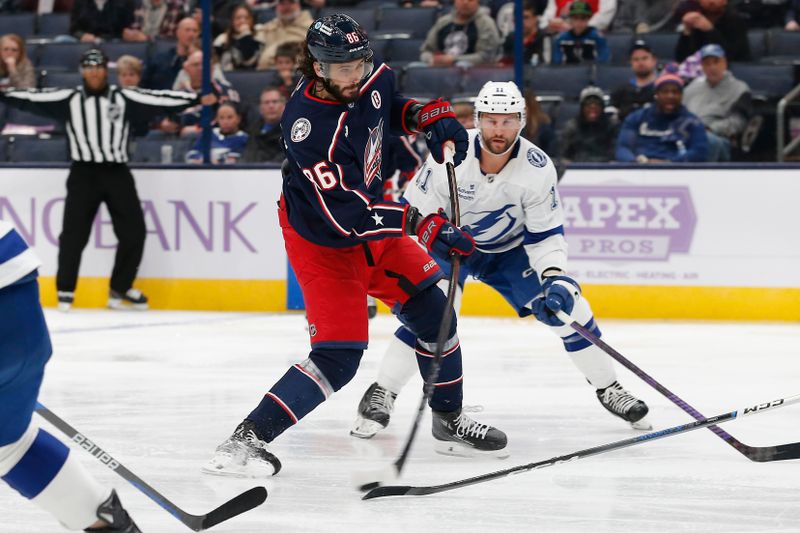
[[303, 387]]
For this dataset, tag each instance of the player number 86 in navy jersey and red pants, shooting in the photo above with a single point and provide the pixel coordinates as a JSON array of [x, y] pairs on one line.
[[345, 242]]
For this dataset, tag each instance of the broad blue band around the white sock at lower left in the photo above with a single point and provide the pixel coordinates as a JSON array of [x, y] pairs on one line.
[[40, 464]]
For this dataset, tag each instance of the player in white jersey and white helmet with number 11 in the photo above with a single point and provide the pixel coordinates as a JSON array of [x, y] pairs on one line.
[[510, 203]]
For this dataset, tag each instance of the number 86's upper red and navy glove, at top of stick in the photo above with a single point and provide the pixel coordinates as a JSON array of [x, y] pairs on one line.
[[438, 121]]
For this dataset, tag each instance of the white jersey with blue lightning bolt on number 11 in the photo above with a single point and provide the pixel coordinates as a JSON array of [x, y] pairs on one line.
[[518, 206]]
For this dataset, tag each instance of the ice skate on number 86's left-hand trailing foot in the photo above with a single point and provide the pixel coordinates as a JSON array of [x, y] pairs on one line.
[[244, 454]]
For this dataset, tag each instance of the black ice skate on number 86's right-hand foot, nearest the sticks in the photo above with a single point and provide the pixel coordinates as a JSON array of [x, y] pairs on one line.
[[457, 434]]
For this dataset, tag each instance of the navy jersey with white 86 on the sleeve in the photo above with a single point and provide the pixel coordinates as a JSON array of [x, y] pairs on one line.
[[334, 184]]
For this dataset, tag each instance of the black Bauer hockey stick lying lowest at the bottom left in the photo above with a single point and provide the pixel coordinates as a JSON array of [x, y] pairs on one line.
[[238, 505]]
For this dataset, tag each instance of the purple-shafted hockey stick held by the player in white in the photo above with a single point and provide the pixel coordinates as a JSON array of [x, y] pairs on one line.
[[760, 454]]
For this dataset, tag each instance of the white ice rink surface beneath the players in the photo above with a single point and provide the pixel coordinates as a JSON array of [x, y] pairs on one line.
[[160, 390]]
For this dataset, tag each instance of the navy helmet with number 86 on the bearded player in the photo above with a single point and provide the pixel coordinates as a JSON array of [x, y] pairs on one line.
[[338, 38]]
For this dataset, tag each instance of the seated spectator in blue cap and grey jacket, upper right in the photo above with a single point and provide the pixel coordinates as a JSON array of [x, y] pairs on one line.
[[722, 102]]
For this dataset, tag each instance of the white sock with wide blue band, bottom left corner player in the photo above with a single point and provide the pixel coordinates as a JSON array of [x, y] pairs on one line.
[[41, 468]]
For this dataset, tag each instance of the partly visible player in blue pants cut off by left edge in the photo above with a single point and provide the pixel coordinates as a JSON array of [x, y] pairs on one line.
[[32, 461]]
